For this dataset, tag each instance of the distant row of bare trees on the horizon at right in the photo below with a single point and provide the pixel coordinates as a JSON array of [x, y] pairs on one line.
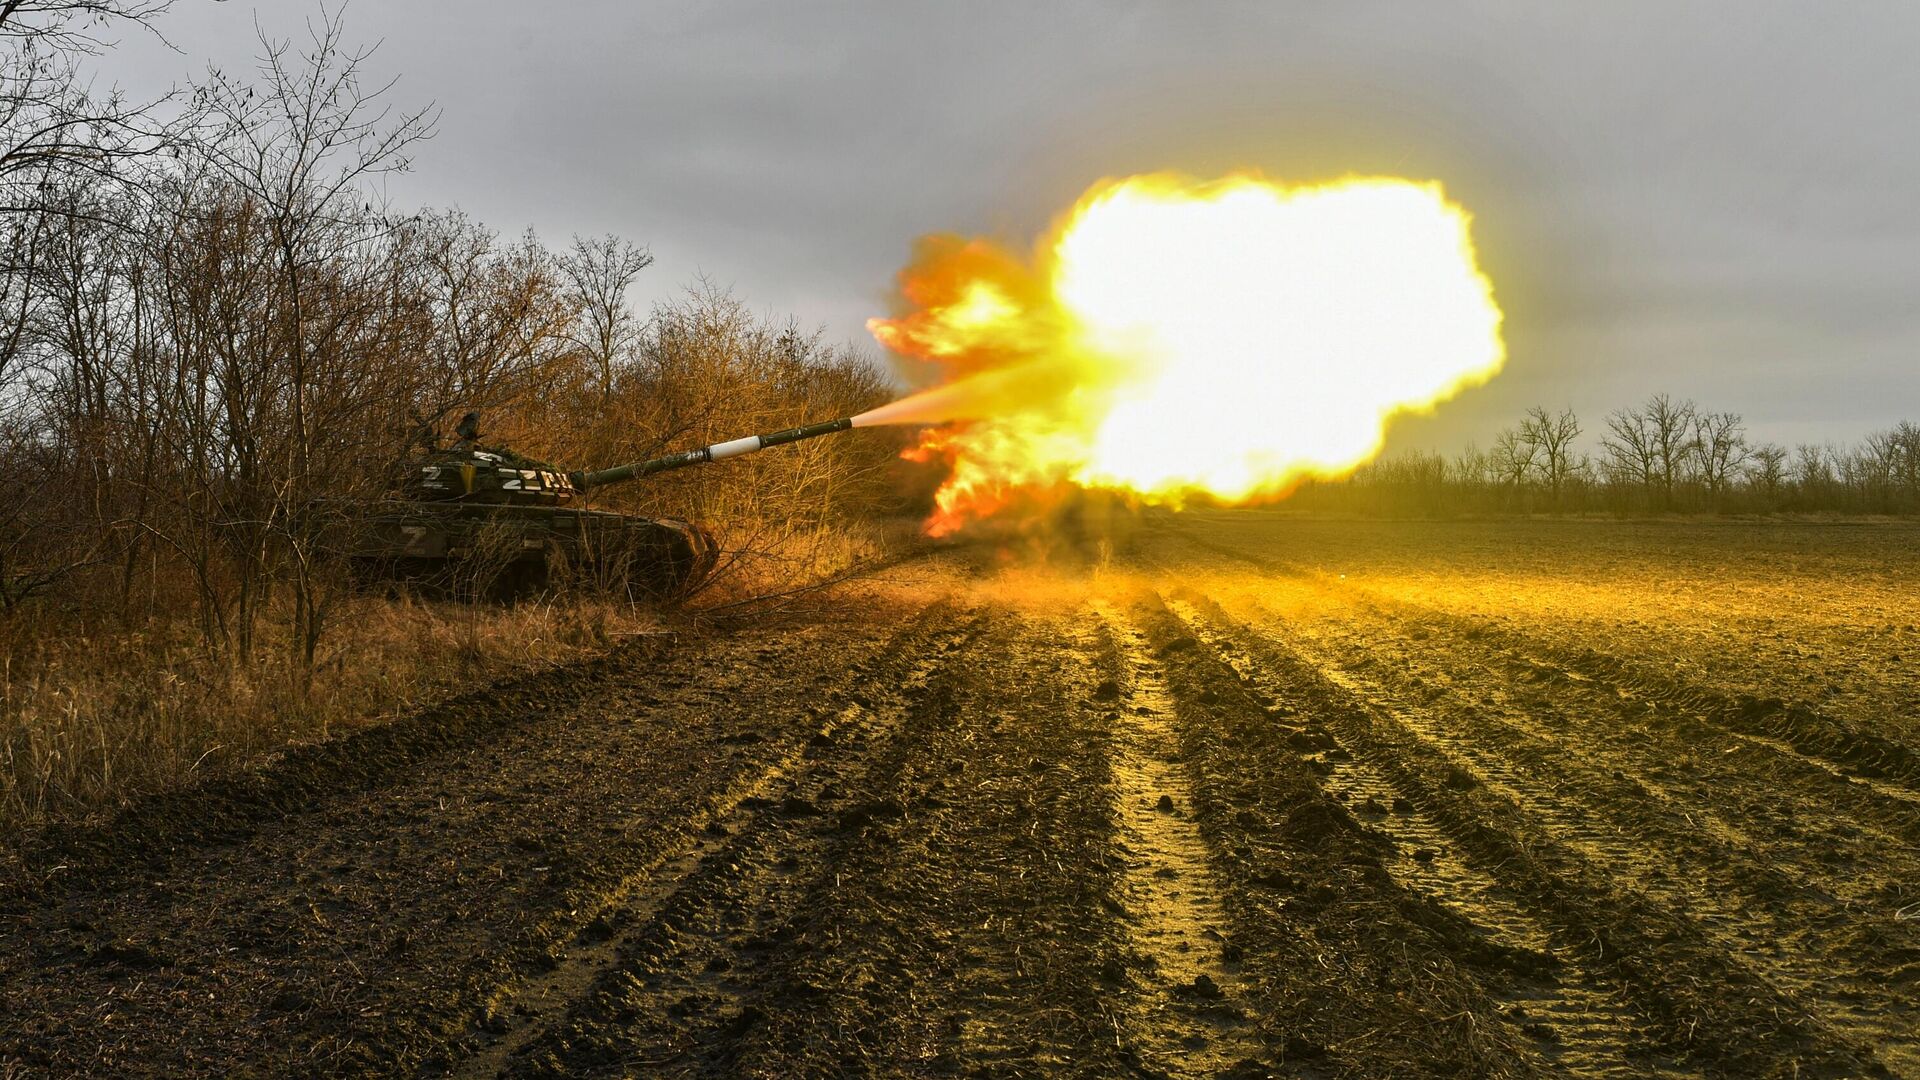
[[1662, 456]]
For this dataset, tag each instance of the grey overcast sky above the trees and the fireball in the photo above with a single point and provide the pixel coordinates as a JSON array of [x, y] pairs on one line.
[[1717, 201]]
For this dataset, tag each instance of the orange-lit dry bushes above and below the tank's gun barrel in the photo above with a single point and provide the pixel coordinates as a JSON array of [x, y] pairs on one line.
[[708, 370]]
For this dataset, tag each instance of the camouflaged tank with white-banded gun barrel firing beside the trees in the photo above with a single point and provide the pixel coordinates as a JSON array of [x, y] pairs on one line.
[[483, 522]]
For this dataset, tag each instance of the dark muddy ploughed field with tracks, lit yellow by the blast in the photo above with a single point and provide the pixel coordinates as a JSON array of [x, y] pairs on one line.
[[1243, 797]]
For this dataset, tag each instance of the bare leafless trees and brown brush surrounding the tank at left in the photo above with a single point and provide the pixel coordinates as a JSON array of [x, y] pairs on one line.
[[212, 326]]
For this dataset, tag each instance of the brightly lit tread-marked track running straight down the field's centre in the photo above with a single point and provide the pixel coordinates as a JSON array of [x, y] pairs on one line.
[[1188, 1012]]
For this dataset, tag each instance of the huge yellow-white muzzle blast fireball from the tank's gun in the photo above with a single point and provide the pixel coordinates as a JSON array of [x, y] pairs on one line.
[[1228, 337]]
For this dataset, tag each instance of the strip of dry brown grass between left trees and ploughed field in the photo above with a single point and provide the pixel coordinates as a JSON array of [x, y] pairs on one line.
[[93, 716]]
